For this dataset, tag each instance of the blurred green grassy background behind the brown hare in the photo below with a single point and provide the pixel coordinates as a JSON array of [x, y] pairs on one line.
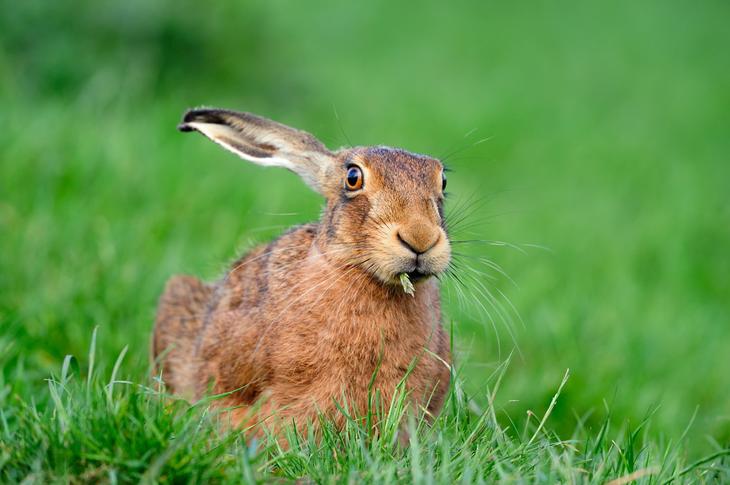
[[594, 137]]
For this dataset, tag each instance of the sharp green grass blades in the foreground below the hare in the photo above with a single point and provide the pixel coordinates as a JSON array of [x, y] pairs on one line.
[[110, 429]]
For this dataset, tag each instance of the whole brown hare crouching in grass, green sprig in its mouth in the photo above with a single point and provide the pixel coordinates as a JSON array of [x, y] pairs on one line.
[[301, 324]]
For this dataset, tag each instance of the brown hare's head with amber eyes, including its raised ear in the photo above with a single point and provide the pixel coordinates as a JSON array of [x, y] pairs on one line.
[[384, 205]]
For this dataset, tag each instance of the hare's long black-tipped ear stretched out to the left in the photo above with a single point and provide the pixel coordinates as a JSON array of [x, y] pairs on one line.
[[264, 142]]
